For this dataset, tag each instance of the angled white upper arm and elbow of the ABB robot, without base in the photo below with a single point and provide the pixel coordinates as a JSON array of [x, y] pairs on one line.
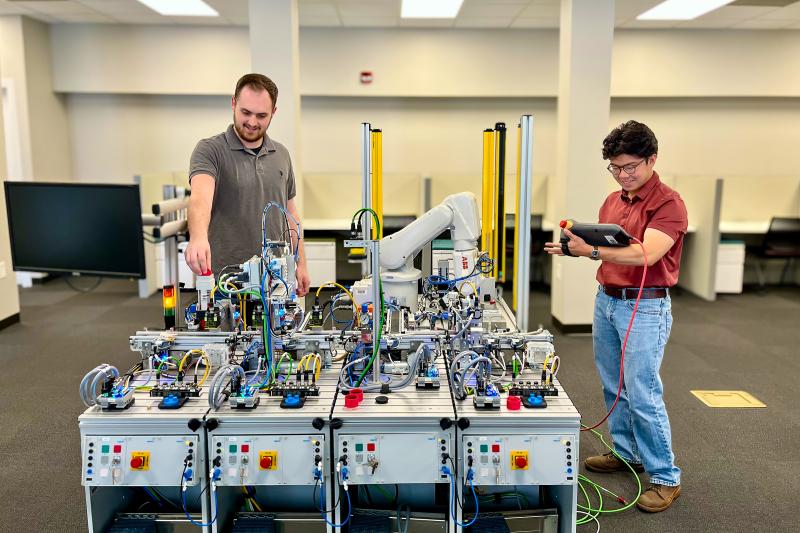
[[458, 211]]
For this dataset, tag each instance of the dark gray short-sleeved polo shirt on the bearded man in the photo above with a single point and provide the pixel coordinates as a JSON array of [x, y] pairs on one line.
[[245, 183]]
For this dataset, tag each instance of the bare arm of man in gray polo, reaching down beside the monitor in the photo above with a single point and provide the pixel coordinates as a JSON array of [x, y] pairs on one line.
[[198, 253]]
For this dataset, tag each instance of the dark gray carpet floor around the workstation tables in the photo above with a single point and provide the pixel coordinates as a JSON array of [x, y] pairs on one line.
[[738, 464]]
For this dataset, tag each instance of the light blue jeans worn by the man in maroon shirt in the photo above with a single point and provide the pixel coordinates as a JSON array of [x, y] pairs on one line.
[[639, 424]]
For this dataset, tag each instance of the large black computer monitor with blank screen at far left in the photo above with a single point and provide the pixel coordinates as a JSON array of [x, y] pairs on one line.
[[80, 228]]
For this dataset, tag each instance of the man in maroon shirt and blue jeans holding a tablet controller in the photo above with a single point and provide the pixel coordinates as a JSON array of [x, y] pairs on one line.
[[656, 215]]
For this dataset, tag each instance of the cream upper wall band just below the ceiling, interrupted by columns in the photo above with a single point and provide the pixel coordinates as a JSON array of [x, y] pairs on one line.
[[417, 62]]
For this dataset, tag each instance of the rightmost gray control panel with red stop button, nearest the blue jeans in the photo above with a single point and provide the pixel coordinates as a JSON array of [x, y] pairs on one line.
[[538, 459]]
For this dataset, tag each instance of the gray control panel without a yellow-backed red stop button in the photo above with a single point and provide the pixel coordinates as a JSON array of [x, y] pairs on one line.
[[393, 457]]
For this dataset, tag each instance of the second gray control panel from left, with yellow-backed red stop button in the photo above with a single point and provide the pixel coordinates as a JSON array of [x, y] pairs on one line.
[[268, 459]]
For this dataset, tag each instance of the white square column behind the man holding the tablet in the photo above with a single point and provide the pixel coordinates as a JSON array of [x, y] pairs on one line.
[[586, 38]]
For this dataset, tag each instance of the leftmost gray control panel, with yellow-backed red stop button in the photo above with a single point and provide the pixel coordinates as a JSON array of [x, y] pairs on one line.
[[134, 460]]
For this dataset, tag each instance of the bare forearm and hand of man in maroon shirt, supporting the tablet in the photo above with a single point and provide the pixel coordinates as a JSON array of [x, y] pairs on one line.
[[656, 243]]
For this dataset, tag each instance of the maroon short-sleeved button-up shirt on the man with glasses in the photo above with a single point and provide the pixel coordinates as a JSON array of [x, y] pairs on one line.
[[655, 206]]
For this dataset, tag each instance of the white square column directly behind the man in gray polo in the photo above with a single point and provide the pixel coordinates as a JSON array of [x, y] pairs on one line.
[[275, 52]]
